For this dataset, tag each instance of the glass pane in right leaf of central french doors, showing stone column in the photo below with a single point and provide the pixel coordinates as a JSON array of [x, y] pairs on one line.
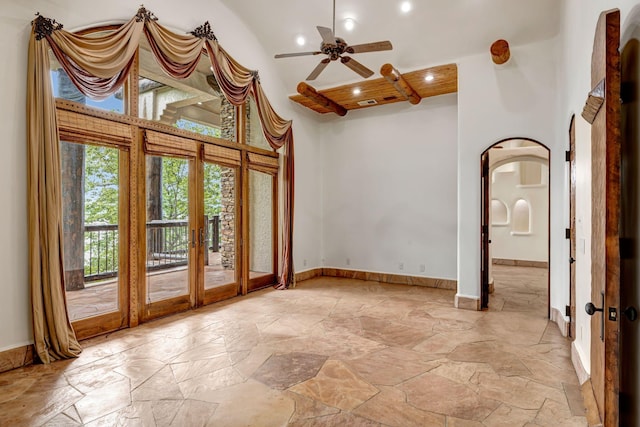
[[220, 223]]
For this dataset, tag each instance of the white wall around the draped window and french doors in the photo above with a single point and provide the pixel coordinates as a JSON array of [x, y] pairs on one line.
[[15, 29]]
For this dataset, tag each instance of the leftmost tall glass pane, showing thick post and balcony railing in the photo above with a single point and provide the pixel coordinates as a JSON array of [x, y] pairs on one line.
[[90, 193]]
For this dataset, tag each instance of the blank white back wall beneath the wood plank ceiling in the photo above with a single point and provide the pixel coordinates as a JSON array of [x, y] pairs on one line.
[[390, 189]]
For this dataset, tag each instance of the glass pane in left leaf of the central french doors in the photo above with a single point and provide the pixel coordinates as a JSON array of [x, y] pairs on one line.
[[167, 228]]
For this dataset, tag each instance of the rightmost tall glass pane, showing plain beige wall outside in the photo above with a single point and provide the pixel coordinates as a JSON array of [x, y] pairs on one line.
[[260, 224]]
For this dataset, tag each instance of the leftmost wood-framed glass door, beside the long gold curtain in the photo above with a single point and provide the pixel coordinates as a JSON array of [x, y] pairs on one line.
[[95, 234]]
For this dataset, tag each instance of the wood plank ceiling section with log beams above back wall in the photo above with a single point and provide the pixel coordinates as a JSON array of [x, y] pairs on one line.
[[379, 91]]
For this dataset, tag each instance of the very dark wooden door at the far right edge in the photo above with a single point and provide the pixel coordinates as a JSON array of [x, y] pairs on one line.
[[630, 230]]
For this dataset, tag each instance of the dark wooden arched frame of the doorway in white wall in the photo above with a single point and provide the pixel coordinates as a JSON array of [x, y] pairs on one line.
[[485, 182]]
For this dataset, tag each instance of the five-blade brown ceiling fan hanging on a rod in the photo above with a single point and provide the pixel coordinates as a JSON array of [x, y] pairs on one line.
[[335, 48]]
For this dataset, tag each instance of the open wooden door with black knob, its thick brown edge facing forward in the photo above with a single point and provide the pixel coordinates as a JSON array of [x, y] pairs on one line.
[[605, 215]]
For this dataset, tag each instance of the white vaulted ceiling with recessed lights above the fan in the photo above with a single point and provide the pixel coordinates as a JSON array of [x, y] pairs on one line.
[[434, 32]]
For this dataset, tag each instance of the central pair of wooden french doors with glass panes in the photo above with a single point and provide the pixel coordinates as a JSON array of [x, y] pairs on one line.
[[192, 236]]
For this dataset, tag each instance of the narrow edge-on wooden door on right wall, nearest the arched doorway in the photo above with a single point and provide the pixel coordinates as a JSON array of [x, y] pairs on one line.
[[572, 228]]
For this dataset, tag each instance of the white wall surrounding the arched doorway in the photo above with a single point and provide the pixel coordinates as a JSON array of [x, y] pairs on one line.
[[517, 99]]
